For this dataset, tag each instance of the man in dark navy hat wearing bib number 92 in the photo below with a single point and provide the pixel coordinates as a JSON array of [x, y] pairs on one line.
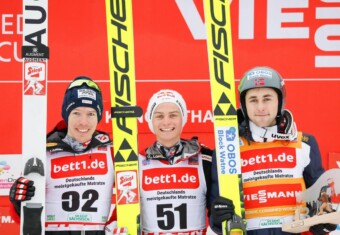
[[79, 169]]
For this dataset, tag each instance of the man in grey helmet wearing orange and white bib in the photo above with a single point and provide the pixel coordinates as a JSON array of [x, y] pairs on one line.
[[278, 162]]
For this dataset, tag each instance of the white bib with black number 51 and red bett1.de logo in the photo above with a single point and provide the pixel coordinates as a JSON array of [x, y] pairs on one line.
[[173, 197]]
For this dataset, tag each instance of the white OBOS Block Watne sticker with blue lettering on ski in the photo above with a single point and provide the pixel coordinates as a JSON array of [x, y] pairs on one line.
[[228, 150]]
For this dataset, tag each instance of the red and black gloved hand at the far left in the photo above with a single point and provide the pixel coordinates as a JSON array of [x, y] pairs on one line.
[[21, 190]]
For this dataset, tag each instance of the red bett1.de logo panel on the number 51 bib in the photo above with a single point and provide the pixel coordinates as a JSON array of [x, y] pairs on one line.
[[170, 178]]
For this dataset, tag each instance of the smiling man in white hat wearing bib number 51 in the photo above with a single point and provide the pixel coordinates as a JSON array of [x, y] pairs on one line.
[[174, 172]]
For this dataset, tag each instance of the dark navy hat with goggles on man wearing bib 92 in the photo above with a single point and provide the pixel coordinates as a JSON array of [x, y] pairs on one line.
[[82, 92]]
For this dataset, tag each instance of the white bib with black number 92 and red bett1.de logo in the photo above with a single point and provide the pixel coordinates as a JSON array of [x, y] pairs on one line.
[[79, 189]]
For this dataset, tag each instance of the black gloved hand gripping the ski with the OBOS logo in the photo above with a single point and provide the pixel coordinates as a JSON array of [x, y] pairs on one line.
[[222, 209]]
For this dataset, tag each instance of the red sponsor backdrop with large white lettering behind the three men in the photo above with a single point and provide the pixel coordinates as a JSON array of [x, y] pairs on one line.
[[299, 38]]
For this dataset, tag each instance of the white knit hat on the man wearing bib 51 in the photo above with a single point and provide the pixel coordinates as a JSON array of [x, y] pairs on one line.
[[164, 96]]
